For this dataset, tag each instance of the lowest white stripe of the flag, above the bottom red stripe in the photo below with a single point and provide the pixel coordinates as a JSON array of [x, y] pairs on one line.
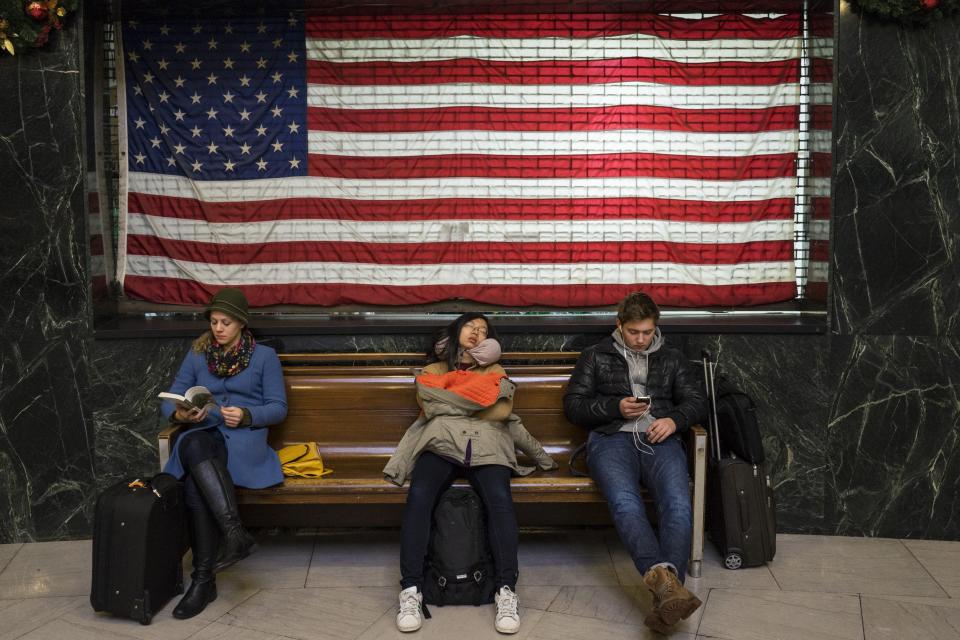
[[456, 274]]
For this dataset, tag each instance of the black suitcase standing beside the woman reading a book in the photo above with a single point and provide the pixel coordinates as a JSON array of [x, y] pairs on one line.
[[138, 547]]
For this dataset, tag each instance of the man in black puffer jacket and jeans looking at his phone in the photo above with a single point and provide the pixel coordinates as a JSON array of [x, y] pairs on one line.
[[637, 396]]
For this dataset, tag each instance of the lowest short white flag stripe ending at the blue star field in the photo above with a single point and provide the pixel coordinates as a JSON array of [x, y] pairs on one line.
[[542, 143]]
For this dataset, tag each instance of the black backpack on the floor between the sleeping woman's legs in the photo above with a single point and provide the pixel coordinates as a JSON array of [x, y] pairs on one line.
[[459, 566]]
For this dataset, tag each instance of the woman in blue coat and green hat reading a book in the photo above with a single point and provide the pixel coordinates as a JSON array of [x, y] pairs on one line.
[[226, 442]]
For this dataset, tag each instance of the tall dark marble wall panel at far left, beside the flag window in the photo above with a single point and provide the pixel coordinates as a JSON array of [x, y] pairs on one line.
[[46, 464]]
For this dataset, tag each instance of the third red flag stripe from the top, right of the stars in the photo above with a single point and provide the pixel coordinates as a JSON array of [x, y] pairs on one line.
[[553, 119]]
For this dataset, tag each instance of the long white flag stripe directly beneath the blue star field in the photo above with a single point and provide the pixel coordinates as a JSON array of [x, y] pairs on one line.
[[431, 188]]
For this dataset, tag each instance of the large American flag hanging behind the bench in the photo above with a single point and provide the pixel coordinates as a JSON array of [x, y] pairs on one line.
[[529, 159]]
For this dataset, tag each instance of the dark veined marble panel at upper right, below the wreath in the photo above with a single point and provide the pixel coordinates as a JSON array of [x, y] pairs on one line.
[[896, 227]]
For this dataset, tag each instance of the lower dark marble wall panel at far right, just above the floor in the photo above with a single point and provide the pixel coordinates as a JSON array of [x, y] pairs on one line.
[[893, 447]]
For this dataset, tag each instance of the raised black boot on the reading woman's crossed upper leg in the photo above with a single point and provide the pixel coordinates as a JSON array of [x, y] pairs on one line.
[[215, 484]]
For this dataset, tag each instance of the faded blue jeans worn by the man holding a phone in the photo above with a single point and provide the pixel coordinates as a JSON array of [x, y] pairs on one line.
[[619, 469]]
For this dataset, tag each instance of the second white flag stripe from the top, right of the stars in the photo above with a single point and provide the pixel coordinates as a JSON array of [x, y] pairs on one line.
[[516, 96]]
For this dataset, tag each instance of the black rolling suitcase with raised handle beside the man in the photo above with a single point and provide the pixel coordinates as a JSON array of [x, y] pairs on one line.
[[741, 511]]
